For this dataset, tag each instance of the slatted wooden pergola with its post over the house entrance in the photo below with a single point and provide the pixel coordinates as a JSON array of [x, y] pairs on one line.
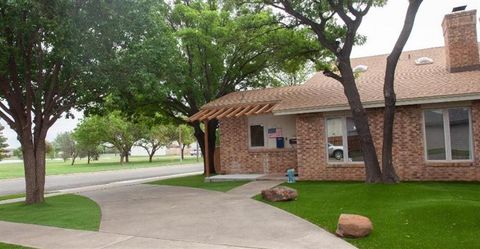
[[207, 114]]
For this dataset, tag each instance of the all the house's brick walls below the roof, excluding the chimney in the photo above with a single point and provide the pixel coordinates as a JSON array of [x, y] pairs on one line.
[[311, 158]]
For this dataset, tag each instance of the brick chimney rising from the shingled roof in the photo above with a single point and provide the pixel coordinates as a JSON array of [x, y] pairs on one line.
[[461, 46]]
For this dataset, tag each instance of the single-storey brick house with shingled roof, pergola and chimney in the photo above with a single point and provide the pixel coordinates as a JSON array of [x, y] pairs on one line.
[[308, 127]]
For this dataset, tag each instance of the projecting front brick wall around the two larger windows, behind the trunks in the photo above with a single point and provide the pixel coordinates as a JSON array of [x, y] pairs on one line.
[[408, 149]]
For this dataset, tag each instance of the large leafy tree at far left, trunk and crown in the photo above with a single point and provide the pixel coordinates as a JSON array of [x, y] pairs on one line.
[[53, 55]]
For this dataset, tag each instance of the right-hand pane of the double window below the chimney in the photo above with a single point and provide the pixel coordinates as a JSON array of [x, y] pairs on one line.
[[459, 133]]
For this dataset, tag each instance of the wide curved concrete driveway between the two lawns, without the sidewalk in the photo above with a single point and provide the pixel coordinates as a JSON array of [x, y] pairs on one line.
[[207, 217]]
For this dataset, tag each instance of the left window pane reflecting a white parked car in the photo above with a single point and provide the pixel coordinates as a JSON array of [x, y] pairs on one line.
[[335, 139]]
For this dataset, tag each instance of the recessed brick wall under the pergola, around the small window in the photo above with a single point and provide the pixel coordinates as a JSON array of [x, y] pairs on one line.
[[236, 157]]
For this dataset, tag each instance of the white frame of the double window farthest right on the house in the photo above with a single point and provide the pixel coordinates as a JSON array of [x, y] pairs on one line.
[[446, 133]]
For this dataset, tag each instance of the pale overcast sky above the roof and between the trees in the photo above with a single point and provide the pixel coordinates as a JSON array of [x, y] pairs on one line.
[[381, 26]]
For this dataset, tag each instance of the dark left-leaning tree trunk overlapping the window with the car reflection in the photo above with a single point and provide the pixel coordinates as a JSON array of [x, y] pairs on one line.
[[360, 118]]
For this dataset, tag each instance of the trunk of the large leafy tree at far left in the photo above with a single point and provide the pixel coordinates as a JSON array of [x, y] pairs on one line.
[[34, 166]]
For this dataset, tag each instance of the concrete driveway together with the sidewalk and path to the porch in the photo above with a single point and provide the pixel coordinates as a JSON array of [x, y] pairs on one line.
[[151, 216]]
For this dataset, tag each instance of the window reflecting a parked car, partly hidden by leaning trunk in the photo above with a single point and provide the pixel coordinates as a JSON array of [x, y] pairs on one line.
[[343, 141]]
